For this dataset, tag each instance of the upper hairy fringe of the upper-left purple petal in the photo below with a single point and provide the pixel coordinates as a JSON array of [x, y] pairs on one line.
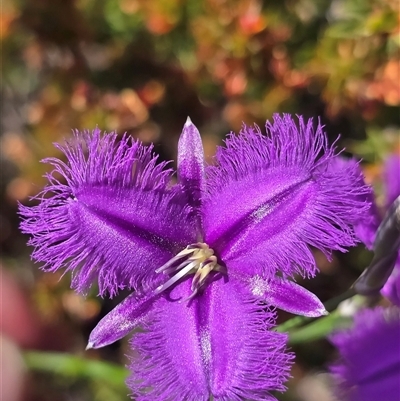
[[94, 158]]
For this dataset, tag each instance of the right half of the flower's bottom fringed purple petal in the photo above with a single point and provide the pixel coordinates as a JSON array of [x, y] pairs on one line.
[[246, 359]]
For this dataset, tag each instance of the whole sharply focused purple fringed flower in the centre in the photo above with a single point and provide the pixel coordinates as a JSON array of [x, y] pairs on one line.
[[208, 258]]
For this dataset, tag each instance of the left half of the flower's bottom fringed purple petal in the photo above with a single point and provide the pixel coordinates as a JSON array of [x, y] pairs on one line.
[[168, 363]]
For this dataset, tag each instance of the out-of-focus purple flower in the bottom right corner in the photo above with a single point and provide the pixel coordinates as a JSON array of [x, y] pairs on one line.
[[369, 369]]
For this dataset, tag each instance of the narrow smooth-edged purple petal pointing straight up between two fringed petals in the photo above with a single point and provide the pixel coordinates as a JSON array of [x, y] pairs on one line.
[[191, 165]]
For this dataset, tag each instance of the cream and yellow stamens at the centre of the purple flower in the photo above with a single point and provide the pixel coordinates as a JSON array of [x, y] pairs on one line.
[[197, 259]]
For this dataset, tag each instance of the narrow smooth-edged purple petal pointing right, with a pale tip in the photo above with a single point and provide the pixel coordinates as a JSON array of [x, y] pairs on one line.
[[288, 296]]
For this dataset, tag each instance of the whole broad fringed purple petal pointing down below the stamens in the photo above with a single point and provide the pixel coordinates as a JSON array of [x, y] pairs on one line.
[[219, 345]]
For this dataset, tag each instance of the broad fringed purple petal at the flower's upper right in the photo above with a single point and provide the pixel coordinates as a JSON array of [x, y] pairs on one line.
[[271, 198]]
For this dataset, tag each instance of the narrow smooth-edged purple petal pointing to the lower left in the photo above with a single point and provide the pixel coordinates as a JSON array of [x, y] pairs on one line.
[[118, 323]]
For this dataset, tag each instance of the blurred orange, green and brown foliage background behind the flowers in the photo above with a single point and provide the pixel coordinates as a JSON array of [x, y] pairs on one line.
[[142, 67]]
